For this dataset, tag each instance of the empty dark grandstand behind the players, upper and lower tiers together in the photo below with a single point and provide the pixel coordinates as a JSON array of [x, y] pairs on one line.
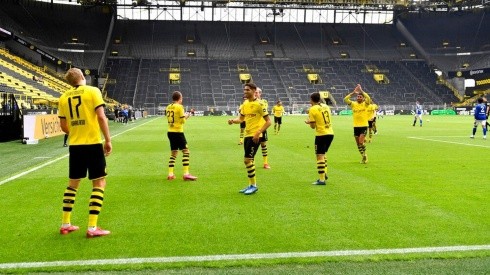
[[150, 59]]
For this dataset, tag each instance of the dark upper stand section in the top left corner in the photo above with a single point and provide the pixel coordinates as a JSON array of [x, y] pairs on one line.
[[39, 23]]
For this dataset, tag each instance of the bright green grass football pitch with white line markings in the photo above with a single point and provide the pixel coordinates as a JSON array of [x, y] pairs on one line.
[[421, 205]]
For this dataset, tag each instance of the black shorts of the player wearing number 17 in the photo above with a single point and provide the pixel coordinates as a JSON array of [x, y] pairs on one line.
[[85, 158]]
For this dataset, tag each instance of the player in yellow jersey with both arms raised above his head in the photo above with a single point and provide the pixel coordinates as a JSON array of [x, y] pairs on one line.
[[360, 116]]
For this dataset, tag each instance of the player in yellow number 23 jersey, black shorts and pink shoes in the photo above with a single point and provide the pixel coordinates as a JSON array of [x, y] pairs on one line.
[[176, 117]]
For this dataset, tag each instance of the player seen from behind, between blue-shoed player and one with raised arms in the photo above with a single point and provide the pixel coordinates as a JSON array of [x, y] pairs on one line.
[[320, 119]]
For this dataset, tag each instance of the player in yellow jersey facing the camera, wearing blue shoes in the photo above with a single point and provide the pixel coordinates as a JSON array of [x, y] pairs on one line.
[[254, 113]]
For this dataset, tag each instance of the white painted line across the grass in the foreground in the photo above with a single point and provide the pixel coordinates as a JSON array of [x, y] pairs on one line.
[[334, 253]]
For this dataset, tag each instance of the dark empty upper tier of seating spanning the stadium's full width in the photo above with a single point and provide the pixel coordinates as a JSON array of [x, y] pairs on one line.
[[81, 36]]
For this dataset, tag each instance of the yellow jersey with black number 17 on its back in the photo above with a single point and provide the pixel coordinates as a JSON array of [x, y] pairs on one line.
[[78, 106]]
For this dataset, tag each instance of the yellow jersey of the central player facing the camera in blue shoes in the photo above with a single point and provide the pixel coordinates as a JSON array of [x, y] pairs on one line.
[[254, 113]]
